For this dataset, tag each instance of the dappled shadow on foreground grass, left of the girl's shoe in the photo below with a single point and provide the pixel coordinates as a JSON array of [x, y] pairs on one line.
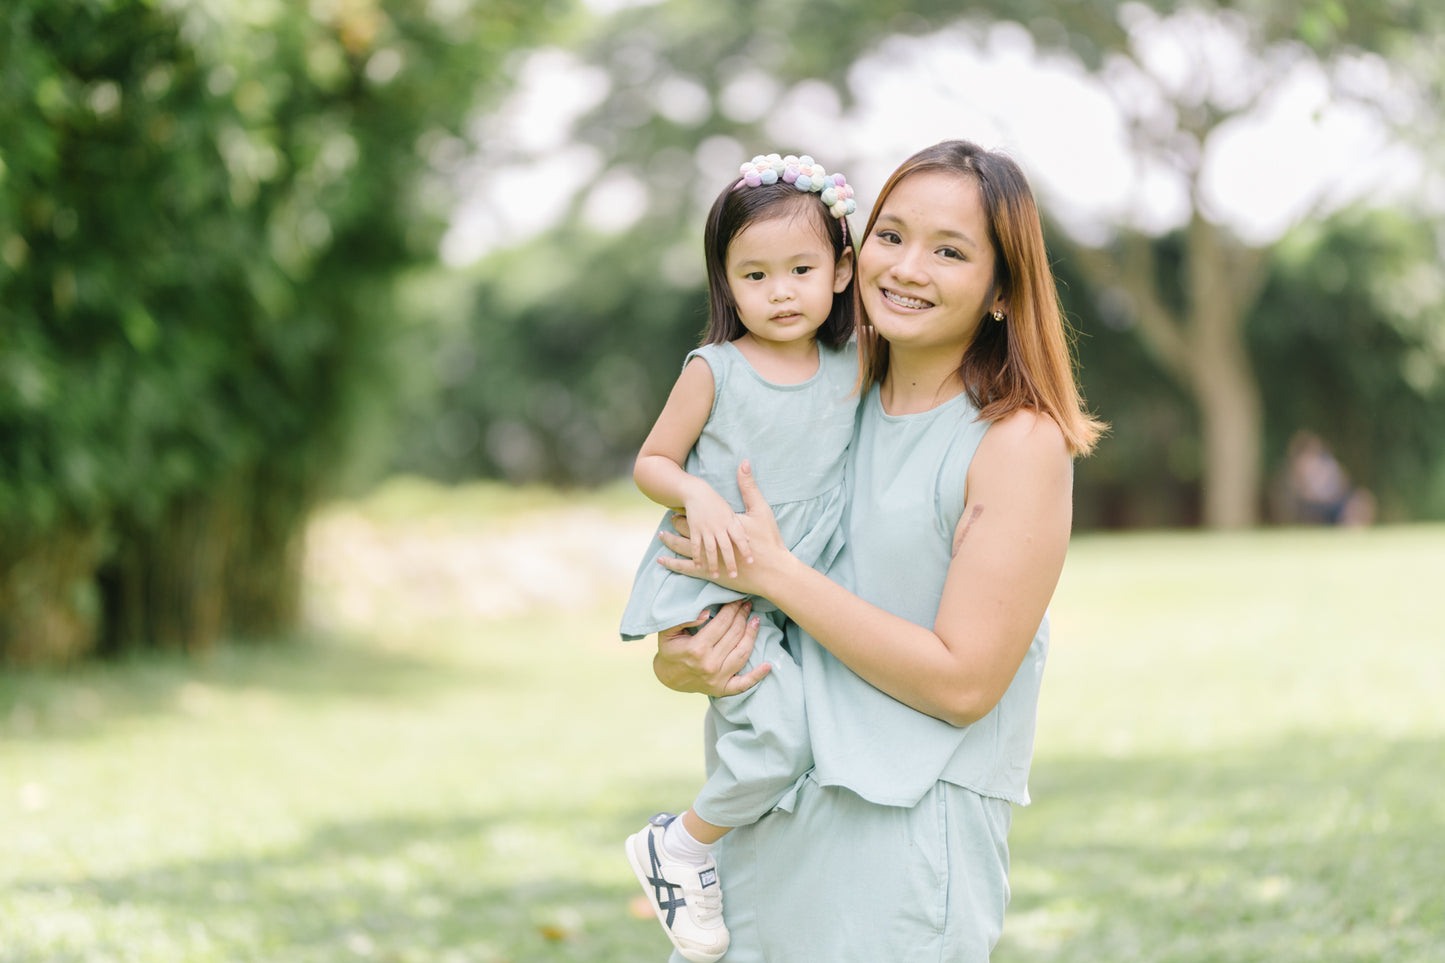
[[538, 889]]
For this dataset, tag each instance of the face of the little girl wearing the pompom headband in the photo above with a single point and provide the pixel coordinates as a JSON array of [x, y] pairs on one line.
[[784, 277]]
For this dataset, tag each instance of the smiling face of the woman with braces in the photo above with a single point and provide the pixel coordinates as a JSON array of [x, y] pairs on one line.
[[927, 271]]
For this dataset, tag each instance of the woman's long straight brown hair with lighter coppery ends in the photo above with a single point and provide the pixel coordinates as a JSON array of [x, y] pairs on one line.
[[1027, 359]]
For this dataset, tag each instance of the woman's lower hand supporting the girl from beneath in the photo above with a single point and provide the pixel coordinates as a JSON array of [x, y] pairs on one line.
[[710, 660]]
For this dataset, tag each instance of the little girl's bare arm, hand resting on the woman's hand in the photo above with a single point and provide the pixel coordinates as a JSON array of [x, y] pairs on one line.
[[660, 475]]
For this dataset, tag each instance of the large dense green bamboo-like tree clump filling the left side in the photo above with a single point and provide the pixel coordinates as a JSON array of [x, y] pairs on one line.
[[203, 209]]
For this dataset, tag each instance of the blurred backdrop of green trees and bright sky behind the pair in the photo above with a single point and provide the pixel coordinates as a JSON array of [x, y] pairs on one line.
[[256, 255]]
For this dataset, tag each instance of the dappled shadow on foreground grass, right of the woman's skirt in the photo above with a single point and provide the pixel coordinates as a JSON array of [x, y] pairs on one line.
[[1316, 848]]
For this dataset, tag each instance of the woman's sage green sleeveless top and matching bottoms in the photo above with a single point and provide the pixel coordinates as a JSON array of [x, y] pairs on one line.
[[895, 847]]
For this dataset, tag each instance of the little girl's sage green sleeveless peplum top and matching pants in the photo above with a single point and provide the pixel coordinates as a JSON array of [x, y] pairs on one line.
[[797, 439]]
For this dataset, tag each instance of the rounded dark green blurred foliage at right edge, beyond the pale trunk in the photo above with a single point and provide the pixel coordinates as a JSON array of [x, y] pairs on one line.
[[1356, 306]]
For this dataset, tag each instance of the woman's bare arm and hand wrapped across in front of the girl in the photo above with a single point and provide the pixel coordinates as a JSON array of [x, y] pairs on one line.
[[1009, 553]]
